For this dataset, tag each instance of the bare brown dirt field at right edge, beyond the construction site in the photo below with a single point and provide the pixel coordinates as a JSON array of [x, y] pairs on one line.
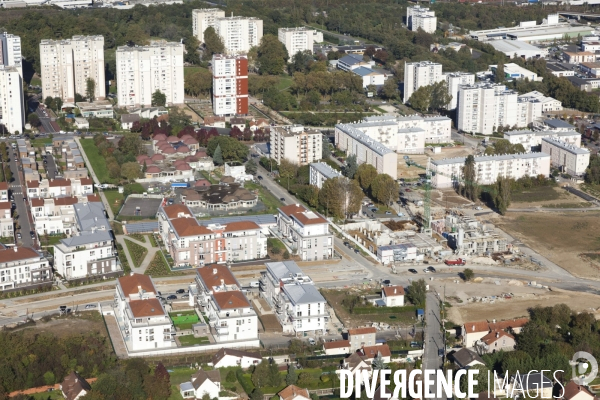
[[571, 240]]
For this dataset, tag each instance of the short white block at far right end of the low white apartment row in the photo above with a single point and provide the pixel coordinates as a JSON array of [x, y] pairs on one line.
[[570, 159]]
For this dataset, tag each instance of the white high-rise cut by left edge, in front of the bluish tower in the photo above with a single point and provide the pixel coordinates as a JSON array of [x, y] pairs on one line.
[[12, 111]]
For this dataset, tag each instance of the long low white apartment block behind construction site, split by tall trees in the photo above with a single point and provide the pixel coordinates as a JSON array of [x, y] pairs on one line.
[[448, 172]]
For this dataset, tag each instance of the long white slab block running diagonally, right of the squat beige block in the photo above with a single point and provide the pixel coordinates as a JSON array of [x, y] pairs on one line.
[[366, 149]]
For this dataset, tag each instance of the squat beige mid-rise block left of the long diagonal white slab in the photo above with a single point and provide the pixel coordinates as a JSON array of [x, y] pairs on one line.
[[296, 144]]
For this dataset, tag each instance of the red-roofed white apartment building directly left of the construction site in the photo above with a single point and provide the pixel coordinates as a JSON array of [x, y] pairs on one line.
[[307, 231]]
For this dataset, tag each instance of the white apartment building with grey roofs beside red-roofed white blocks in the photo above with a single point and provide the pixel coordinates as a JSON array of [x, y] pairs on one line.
[[297, 303]]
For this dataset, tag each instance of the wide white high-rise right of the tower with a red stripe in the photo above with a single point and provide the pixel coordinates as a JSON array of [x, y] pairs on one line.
[[142, 70]]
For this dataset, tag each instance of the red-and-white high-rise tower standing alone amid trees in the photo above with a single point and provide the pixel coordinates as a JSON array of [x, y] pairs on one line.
[[230, 85]]
